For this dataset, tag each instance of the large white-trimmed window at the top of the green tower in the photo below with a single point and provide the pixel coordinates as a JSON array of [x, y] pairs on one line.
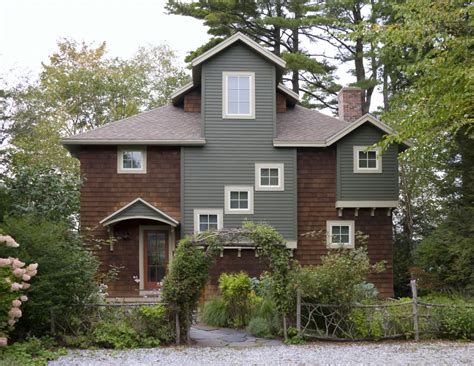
[[238, 95]]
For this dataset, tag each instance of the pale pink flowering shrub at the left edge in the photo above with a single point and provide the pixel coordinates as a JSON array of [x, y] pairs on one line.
[[14, 277]]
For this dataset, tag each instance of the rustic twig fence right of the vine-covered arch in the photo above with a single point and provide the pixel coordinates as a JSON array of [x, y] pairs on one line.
[[357, 322]]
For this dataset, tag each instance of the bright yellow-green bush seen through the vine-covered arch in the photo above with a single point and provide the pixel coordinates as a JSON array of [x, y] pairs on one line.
[[236, 290]]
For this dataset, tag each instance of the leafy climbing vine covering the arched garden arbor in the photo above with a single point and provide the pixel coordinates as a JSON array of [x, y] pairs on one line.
[[194, 256]]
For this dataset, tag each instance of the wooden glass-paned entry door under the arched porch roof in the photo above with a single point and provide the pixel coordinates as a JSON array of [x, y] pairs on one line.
[[156, 257]]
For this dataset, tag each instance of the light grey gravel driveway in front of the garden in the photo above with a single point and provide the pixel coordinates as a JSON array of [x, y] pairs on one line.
[[402, 353]]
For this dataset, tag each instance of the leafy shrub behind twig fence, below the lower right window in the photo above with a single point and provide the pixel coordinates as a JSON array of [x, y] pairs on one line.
[[339, 279]]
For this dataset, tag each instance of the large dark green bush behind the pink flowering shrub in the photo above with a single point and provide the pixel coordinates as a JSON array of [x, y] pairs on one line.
[[67, 276]]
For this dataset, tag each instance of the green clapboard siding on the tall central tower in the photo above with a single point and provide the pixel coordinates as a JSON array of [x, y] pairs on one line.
[[234, 146]]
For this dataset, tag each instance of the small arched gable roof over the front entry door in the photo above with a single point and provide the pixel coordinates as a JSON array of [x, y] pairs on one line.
[[139, 209]]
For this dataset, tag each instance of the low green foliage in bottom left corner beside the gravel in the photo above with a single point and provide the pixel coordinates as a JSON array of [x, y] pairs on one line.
[[31, 352]]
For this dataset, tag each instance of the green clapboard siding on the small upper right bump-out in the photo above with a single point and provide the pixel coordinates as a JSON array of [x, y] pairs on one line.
[[364, 186]]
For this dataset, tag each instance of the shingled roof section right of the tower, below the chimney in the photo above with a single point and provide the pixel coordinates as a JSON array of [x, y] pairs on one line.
[[303, 127]]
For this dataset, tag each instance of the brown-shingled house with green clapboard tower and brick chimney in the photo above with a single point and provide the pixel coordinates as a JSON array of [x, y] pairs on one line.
[[233, 145]]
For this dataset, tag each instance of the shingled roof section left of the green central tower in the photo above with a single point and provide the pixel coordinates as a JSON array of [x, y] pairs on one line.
[[167, 125]]
